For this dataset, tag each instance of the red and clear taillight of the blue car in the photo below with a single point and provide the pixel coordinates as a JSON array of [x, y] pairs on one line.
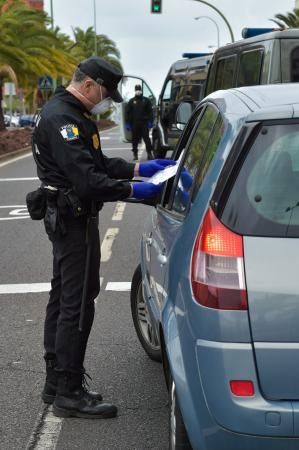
[[217, 272]]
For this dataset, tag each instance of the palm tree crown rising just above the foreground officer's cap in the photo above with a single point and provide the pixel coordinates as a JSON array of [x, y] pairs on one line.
[[106, 48]]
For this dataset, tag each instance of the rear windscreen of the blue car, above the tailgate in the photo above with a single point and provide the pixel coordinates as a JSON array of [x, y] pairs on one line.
[[264, 200]]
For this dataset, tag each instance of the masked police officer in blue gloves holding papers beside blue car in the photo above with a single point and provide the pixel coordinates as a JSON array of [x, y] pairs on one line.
[[77, 179]]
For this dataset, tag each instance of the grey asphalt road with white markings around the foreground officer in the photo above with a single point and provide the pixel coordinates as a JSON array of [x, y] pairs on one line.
[[118, 365]]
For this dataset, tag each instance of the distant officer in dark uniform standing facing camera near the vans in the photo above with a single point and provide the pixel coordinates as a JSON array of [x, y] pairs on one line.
[[139, 118]]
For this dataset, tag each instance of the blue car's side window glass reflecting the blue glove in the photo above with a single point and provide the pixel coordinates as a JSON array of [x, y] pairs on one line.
[[187, 179]]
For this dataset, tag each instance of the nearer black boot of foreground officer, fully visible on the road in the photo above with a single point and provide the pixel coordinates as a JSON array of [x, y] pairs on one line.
[[73, 401]]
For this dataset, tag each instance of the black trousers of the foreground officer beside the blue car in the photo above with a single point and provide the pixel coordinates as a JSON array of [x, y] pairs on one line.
[[62, 338]]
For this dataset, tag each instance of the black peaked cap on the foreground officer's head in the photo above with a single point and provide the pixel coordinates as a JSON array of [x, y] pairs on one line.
[[103, 73]]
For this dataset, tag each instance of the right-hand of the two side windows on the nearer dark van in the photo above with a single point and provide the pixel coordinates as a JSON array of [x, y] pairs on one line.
[[250, 68]]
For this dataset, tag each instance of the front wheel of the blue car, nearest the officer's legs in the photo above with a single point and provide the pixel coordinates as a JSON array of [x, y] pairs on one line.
[[141, 319]]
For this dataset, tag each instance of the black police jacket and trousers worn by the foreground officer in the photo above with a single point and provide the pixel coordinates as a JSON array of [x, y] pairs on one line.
[[67, 150]]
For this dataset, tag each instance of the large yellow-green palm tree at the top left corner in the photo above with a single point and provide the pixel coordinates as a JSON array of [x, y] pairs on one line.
[[28, 47]]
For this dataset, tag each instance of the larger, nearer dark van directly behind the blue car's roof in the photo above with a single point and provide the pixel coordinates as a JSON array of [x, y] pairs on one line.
[[266, 58]]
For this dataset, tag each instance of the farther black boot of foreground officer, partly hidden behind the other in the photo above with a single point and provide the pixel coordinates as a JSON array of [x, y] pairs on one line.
[[50, 388]]
